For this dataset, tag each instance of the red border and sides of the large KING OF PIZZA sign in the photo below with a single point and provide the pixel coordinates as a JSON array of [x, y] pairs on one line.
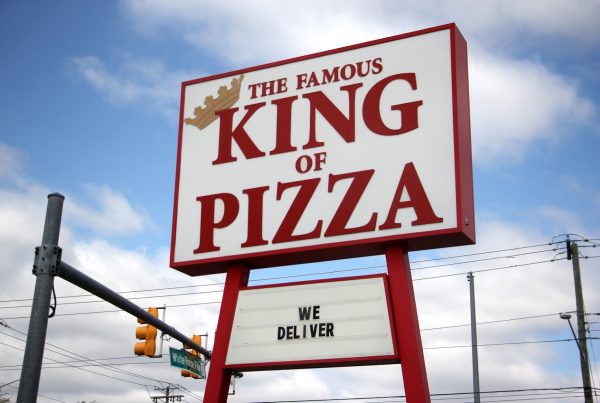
[[462, 234]]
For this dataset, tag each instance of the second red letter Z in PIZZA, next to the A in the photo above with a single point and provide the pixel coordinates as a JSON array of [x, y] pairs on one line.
[[357, 187]]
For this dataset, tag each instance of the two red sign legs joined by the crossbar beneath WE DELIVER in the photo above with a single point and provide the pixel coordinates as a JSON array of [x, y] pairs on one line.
[[405, 329]]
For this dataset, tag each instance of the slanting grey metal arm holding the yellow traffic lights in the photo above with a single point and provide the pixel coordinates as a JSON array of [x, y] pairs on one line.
[[81, 280]]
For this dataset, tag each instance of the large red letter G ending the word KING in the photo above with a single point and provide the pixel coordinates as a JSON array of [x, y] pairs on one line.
[[409, 119]]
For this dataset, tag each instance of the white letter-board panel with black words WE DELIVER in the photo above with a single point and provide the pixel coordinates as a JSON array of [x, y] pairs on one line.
[[333, 321]]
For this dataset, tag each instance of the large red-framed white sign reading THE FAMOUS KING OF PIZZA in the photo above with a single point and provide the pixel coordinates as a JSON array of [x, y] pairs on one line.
[[326, 156]]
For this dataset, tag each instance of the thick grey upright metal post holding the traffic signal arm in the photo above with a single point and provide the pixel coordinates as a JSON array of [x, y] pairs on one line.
[[45, 265]]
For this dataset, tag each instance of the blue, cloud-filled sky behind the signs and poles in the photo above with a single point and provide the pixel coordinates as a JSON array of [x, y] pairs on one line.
[[89, 107]]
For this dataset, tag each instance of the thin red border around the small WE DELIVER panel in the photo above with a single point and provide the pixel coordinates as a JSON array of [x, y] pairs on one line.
[[334, 362]]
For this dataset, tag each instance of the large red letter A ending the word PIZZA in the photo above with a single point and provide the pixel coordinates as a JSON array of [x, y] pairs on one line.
[[418, 200]]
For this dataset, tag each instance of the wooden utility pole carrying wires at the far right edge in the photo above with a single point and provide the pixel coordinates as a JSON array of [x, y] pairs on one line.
[[573, 255]]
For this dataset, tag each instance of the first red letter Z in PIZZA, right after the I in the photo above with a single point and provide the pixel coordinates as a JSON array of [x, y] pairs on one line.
[[306, 189]]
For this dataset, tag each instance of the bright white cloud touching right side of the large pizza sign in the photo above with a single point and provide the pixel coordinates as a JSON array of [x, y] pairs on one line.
[[519, 104]]
